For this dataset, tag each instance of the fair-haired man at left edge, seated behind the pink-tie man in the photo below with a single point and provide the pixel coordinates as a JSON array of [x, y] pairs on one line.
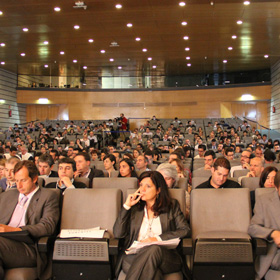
[[9, 181]]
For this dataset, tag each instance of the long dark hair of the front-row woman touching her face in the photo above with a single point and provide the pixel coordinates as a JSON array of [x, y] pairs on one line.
[[163, 200]]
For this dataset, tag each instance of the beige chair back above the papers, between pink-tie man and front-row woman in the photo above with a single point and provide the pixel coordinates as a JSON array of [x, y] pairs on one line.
[[88, 208]]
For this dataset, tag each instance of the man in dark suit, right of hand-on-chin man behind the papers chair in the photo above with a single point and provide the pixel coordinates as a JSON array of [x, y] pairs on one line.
[[83, 168]]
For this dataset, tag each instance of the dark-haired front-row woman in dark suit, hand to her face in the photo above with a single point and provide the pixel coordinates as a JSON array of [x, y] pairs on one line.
[[150, 215]]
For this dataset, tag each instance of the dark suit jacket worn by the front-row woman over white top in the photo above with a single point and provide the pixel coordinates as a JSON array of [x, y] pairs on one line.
[[128, 223]]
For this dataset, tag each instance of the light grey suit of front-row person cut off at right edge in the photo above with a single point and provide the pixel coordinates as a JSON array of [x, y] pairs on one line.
[[266, 219]]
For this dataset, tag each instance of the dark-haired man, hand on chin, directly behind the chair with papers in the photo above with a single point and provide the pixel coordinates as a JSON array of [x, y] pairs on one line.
[[66, 169]]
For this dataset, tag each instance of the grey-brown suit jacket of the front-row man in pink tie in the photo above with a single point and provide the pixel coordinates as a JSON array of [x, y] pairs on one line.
[[41, 218]]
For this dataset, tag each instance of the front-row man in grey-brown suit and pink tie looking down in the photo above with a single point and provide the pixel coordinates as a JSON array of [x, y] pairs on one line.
[[28, 208]]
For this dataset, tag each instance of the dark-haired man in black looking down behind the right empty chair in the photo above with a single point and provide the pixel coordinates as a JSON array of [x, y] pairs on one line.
[[219, 178]]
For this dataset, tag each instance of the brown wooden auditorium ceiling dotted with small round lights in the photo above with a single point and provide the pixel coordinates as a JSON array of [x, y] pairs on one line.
[[174, 39]]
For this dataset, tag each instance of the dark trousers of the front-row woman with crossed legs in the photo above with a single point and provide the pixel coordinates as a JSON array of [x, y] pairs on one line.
[[151, 263]]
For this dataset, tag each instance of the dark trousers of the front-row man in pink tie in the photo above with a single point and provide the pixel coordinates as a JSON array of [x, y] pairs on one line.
[[15, 254]]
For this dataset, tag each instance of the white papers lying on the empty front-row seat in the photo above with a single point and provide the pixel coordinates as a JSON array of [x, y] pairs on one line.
[[86, 233]]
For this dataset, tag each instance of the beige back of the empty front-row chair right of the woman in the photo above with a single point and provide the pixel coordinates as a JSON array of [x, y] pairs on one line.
[[220, 210]]
